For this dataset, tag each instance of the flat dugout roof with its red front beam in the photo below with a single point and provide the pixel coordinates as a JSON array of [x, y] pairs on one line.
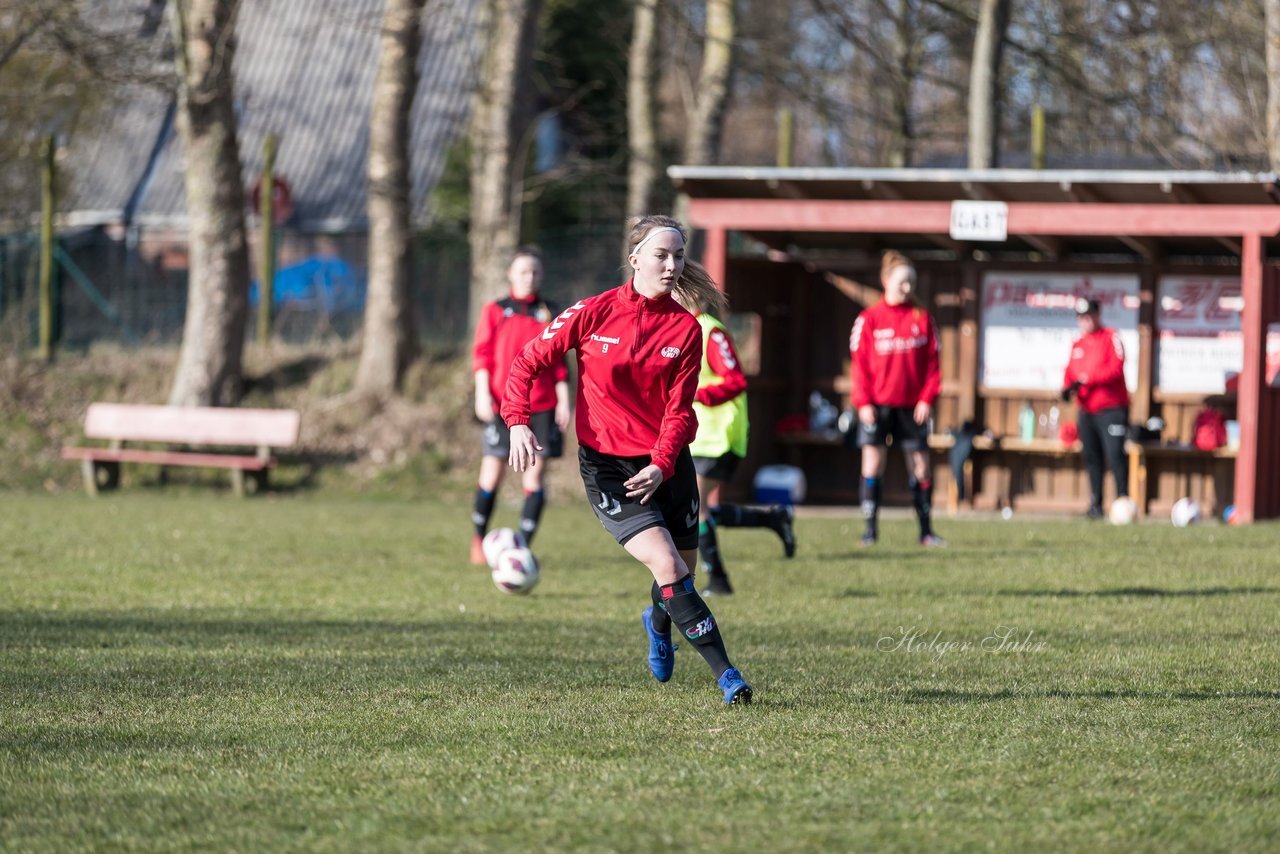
[[738, 191]]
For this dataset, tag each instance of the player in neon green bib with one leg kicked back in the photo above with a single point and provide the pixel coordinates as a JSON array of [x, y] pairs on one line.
[[720, 447]]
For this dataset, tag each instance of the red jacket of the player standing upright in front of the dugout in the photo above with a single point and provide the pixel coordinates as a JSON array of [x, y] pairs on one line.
[[894, 357]]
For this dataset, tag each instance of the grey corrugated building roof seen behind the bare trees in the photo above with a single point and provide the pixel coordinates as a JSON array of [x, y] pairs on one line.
[[304, 71]]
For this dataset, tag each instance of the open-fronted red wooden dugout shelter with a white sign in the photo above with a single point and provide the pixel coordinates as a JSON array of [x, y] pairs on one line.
[[1156, 239]]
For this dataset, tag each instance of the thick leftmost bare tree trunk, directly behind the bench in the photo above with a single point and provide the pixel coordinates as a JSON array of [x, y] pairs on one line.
[[213, 337]]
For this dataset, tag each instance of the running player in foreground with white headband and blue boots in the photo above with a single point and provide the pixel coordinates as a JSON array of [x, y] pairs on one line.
[[638, 359]]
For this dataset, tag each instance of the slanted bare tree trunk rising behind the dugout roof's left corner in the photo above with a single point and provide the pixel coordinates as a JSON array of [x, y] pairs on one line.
[[706, 121]]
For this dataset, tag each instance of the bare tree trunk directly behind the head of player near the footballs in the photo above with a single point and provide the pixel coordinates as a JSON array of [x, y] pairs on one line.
[[501, 120]]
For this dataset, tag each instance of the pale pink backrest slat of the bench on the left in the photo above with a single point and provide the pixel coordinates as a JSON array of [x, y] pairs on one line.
[[194, 426]]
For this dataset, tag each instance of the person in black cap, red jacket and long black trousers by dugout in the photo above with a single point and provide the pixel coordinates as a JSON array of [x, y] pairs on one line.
[[1095, 377]]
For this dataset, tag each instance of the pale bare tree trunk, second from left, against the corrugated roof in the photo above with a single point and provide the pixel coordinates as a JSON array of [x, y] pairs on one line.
[[390, 337]]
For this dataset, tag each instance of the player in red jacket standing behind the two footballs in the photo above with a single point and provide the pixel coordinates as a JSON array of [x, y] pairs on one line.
[[505, 327]]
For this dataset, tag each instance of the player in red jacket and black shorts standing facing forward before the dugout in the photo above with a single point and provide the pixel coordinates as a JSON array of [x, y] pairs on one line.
[[895, 377]]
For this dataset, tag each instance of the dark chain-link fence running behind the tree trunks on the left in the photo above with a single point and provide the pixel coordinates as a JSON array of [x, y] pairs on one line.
[[134, 291]]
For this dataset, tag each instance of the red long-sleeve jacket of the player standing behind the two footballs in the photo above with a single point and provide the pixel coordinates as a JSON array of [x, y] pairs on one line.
[[504, 330]]
